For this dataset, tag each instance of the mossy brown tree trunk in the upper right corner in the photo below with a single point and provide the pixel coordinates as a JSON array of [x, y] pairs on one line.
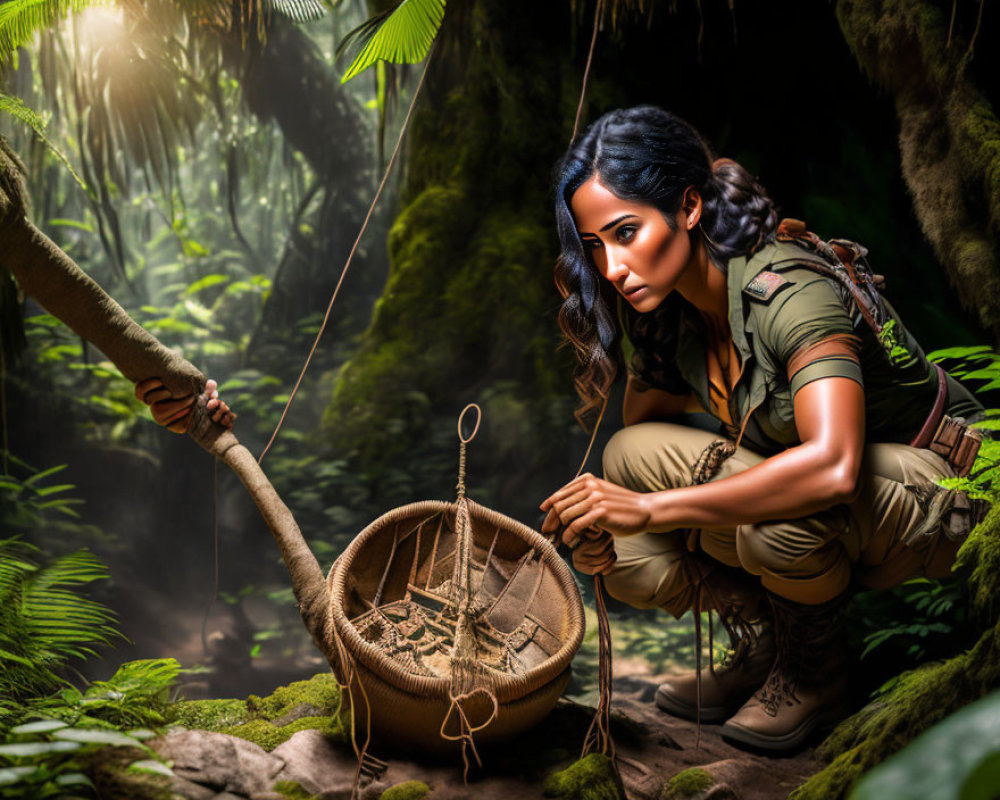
[[949, 137]]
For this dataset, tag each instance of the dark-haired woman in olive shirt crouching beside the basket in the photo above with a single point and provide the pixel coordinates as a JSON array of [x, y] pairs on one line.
[[680, 260]]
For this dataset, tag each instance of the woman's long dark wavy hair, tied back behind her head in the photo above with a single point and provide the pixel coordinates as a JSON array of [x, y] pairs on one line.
[[647, 155]]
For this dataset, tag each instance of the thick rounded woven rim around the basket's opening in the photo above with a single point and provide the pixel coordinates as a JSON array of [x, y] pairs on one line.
[[506, 687]]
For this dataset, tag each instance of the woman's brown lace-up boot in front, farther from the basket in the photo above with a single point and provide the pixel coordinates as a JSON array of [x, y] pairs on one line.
[[807, 686]]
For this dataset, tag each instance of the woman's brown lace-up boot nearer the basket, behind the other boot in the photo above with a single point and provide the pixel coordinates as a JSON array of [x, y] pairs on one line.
[[724, 688]]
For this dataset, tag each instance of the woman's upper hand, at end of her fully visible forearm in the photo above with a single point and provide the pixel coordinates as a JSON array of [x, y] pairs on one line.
[[590, 502]]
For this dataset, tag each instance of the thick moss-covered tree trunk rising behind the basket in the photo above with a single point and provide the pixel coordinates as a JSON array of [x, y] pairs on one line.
[[468, 313]]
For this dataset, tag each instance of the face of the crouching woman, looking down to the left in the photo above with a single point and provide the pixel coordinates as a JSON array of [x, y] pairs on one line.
[[631, 243]]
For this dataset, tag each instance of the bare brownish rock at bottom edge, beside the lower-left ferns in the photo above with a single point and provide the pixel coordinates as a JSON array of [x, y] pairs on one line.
[[222, 762]]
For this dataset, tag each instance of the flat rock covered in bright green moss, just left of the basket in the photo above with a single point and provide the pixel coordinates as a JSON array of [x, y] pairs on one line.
[[269, 721]]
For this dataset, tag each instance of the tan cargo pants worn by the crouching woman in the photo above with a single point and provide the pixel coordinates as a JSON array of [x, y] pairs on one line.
[[900, 525]]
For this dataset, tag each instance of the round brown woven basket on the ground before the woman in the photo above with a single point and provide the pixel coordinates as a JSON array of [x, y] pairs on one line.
[[531, 613]]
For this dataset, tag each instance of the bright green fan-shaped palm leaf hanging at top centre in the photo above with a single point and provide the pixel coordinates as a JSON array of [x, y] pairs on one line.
[[402, 35]]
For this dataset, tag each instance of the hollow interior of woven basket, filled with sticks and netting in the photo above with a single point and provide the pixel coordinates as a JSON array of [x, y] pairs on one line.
[[412, 590]]
